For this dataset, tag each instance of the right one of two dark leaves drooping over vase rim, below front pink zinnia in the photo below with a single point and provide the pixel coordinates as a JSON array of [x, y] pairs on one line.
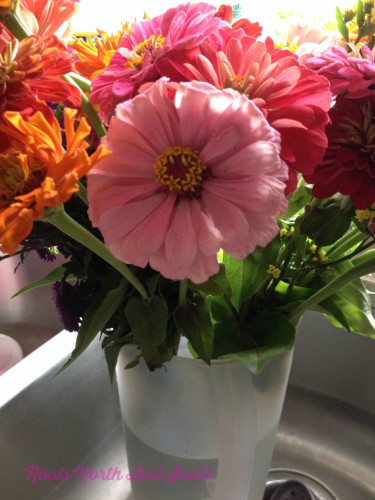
[[193, 320]]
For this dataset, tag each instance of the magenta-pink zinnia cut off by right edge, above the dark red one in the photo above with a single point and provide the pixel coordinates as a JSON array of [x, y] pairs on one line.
[[352, 74]]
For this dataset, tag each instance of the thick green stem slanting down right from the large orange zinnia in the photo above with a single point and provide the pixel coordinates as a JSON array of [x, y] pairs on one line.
[[60, 219]]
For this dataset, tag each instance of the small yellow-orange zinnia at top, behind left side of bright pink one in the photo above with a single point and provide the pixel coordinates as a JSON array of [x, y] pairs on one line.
[[94, 53]]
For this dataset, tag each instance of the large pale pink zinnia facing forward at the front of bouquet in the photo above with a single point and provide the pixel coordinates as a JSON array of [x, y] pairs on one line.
[[188, 175]]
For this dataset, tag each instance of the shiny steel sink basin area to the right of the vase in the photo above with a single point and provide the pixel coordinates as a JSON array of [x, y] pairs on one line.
[[326, 437]]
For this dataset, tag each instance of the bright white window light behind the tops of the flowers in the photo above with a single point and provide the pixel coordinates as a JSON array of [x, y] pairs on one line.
[[109, 14]]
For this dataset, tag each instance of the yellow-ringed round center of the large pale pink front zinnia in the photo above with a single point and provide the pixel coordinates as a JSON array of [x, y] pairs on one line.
[[180, 170]]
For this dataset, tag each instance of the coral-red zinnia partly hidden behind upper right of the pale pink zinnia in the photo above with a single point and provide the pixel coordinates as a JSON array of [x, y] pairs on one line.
[[295, 100]]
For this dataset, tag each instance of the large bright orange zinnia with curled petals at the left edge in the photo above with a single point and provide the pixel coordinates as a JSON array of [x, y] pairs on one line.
[[36, 172]]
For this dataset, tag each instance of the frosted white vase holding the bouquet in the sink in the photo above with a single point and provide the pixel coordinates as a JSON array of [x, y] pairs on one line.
[[199, 432]]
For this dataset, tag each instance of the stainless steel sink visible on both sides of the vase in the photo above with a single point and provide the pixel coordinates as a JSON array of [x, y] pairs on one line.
[[326, 438]]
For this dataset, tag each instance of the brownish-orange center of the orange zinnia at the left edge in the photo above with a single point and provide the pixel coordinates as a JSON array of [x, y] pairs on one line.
[[17, 177]]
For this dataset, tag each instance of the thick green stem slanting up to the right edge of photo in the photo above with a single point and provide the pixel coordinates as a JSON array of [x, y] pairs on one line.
[[364, 264]]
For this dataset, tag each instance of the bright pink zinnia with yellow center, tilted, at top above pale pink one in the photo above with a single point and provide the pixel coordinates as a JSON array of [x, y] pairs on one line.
[[138, 60]]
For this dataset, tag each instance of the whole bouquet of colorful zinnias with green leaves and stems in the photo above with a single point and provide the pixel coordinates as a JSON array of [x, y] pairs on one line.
[[196, 178]]
